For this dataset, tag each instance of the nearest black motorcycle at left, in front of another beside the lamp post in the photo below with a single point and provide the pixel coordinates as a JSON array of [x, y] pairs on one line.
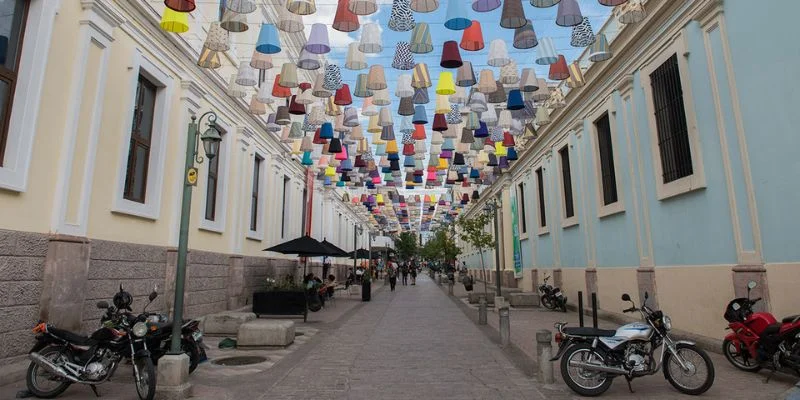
[[61, 358]]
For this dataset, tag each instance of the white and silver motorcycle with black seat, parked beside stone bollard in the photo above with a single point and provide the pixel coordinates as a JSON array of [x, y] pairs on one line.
[[591, 358]]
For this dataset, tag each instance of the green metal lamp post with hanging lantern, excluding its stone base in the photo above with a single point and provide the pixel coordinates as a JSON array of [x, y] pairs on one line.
[[210, 139]]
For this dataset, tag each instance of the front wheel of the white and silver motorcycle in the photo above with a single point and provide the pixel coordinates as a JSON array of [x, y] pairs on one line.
[[697, 378]]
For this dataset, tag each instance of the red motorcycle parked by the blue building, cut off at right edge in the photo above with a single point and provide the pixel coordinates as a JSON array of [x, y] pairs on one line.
[[758, 339]]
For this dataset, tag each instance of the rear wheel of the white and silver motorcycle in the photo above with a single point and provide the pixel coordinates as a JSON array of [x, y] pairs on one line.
[[581, 381]]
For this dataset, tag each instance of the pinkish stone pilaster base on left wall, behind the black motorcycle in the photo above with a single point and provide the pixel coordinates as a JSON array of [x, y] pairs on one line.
[[66, 269]]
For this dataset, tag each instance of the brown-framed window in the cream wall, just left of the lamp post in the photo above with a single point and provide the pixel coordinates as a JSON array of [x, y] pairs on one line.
[[141, 137]]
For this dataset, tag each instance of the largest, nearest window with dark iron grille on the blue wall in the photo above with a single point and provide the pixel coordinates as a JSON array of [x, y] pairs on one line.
[[670, 116]]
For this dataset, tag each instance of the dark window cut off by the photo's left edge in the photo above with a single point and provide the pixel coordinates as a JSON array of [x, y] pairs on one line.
[[12, 27]]
